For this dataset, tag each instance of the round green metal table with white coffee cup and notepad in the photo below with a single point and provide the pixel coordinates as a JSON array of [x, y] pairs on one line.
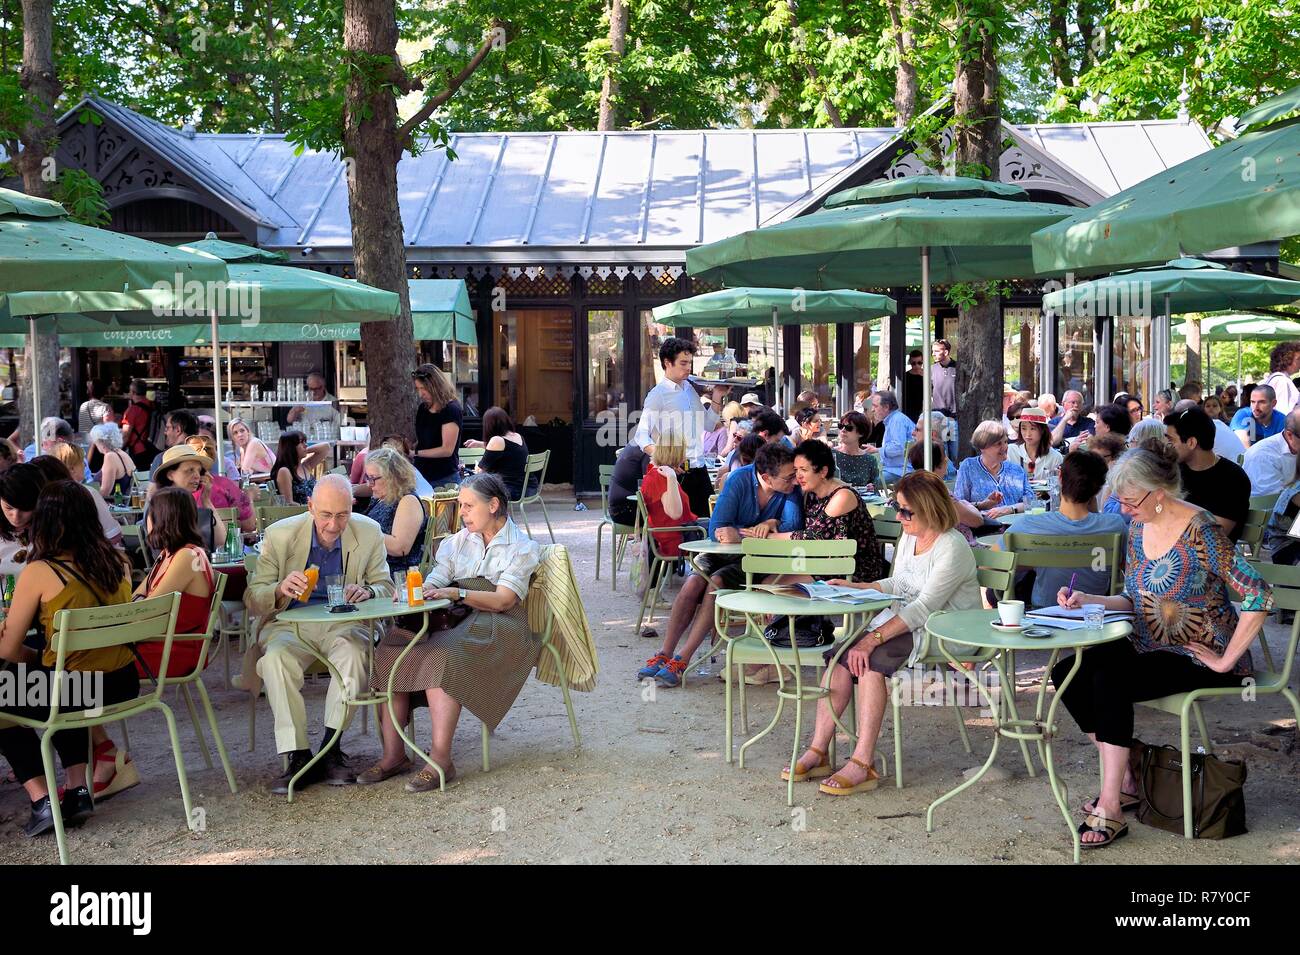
[[972, 630]]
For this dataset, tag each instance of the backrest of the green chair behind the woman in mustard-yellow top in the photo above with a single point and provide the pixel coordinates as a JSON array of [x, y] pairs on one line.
[[116, 626]]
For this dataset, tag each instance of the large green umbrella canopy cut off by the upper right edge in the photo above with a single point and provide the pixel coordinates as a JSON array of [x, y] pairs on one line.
[[1242, 193]]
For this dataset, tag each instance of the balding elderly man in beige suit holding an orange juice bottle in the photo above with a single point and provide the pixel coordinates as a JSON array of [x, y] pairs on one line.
[[341, 544]]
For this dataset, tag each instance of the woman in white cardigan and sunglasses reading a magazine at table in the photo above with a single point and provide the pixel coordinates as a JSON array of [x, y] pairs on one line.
[[934, 571]]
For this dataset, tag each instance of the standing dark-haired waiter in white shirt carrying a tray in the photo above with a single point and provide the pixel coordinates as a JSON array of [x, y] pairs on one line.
[[674, 407]]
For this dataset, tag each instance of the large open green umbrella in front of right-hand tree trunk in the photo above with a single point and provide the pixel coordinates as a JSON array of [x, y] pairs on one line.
[[868, 238]]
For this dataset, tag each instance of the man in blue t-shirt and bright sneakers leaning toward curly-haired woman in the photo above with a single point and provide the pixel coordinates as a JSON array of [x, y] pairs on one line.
[[757, 501]]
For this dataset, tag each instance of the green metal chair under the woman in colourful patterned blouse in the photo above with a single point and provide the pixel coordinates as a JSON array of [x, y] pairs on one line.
[[1285, 581]]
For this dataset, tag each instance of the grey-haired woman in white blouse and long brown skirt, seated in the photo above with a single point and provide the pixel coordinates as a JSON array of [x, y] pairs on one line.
[[482, 662]]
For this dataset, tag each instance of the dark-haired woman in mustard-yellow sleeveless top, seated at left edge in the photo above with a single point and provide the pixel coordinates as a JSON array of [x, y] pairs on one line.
[[68, 570]]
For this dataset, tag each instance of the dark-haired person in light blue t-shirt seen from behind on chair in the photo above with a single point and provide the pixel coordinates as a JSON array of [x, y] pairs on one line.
[[1084, 474]]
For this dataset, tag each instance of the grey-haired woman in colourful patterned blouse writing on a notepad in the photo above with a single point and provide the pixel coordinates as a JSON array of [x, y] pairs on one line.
[[1180, 580]]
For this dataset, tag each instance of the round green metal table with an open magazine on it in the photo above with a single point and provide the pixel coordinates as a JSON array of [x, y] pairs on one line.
[[760, 604]]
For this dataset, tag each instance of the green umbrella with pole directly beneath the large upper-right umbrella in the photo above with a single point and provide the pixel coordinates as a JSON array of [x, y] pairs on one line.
[[1181, 285]]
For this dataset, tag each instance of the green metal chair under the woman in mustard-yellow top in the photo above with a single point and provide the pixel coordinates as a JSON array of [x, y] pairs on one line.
[[101, 628]]
